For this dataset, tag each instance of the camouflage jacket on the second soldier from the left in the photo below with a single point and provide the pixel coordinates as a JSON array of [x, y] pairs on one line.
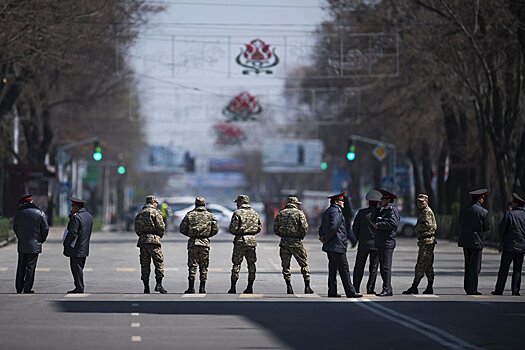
[[199, 224]]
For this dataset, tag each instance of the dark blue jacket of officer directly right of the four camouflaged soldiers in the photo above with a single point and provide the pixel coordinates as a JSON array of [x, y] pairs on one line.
[[333, 231]]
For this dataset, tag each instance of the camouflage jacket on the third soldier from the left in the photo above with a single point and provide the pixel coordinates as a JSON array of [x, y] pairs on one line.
[[245, 224]]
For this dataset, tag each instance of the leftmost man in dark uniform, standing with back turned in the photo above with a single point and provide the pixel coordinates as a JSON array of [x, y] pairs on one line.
[[31, 229]]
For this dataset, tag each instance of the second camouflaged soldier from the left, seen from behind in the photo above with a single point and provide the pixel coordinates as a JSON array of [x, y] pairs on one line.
[[199, 224]]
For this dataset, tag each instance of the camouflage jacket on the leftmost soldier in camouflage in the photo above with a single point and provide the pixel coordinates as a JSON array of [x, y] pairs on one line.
[[149, 225]]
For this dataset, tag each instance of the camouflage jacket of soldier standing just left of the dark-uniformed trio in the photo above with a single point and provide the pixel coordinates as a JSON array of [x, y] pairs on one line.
[[291, 225]]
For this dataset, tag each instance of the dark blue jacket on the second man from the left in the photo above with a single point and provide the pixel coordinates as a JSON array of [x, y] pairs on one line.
[[79, 228]]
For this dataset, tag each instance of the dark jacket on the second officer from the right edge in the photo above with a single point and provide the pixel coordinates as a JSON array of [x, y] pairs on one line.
[[474, 222]]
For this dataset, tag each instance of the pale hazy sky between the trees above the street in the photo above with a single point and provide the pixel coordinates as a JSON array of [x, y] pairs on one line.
[[185, 62]]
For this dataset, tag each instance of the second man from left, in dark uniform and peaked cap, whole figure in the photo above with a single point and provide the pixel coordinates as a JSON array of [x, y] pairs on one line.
[[76, 242]]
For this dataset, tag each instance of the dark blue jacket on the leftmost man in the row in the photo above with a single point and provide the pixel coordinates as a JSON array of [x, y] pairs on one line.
[[31, 229]]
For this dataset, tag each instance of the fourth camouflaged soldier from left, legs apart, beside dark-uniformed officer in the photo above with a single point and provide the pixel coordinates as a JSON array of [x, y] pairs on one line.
[[291, 225]]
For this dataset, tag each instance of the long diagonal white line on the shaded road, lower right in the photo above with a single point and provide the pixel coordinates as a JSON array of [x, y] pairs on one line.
[[436, 334]]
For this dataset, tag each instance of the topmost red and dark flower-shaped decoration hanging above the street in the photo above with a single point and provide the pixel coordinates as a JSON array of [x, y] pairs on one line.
[[257, 57]]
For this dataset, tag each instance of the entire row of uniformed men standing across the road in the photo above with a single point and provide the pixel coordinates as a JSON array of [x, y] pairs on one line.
[[374, 227]]
